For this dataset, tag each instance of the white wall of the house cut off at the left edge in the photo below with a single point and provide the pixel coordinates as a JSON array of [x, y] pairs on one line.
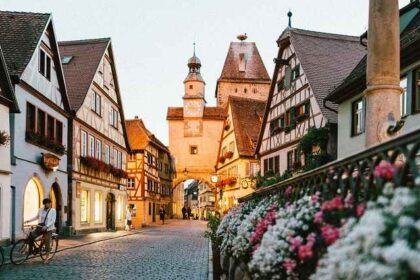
[[5, 179]]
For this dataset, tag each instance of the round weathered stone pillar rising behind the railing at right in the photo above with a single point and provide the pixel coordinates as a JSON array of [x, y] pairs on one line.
[[383, 70]]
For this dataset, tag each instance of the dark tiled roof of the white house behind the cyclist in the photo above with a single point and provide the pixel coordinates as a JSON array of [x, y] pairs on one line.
[[20, 35]]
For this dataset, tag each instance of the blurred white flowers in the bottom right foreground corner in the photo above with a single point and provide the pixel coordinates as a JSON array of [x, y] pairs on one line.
[[384, 244]]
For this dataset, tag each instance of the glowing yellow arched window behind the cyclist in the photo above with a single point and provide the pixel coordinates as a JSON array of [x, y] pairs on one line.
[[32, 200]]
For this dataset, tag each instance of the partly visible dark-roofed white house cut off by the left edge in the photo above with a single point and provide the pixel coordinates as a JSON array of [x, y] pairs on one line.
[[8, 105]]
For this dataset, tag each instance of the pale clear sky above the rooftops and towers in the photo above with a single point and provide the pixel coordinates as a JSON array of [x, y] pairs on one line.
[[153, 39]]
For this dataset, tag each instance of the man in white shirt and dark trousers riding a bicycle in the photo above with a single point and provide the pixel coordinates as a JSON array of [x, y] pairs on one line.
[[46, 225]]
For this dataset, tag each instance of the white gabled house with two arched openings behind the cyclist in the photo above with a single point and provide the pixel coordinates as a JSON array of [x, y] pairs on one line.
[[39, 132]]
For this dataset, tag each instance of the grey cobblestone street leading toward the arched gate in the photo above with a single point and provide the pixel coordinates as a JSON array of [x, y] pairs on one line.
[[177, 250]]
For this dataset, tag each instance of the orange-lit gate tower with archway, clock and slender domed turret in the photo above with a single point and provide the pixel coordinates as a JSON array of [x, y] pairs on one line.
[[194, 132]]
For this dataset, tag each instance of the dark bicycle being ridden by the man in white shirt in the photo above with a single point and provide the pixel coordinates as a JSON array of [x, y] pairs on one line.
[[21, 249]]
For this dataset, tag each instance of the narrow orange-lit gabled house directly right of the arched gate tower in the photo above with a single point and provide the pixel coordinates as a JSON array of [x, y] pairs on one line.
[[236, 165]]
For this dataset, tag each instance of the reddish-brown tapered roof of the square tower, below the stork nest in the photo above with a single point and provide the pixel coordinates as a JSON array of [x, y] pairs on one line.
[[255, 69]]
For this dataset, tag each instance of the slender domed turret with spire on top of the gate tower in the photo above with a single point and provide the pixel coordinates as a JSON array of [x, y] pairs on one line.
[[194, 100]]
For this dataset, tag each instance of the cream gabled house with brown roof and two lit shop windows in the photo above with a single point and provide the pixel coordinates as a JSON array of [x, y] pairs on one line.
[[98, 138]]
